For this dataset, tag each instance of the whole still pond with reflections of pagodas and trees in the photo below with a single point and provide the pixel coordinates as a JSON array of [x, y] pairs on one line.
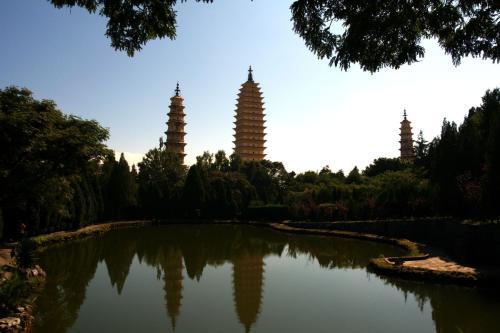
[[190, 278]]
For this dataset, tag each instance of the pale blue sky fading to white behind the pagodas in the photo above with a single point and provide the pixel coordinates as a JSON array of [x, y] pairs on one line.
[[316, 115]]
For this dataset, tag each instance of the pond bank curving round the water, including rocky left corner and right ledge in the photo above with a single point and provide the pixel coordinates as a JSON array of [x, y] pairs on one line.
[[22, 279]]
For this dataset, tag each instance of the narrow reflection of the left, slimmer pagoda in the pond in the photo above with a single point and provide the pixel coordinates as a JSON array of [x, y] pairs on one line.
[[172, 267]]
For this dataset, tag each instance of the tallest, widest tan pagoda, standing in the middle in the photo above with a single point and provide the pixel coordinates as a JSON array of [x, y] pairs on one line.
[[249, 130]]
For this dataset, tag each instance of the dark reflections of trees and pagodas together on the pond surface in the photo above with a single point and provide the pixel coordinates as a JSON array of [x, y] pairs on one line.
[[181, 253]]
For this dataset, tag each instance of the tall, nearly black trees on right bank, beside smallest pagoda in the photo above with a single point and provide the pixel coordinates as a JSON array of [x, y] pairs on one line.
[[463, 164]]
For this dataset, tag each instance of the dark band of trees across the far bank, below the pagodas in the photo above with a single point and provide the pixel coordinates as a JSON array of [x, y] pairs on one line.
[[57, 173]]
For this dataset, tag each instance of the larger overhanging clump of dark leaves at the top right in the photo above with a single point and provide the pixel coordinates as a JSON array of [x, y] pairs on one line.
[[377, 34]]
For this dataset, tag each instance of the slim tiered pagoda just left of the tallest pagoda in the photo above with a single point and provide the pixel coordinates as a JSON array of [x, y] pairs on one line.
[[175, 125]]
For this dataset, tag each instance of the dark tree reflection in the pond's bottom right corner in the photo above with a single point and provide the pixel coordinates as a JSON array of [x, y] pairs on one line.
[[454, 308]]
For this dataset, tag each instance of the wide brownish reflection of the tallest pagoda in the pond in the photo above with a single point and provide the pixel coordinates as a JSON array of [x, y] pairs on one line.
[[248, 276]]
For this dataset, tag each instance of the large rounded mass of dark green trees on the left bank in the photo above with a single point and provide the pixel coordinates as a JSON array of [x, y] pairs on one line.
[[51, 171]]
